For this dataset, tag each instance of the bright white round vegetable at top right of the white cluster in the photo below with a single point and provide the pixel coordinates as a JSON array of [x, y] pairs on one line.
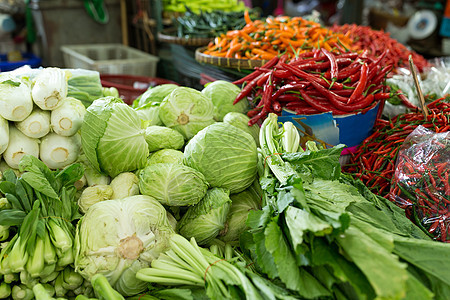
[[49, 88]]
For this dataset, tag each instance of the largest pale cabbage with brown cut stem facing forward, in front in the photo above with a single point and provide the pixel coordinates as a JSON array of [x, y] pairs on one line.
[[117, 238]]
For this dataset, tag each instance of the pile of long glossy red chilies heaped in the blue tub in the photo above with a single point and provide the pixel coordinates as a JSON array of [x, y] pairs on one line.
[[315, 82]]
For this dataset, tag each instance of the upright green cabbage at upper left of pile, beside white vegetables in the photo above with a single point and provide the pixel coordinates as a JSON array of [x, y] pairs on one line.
[[112, 138]]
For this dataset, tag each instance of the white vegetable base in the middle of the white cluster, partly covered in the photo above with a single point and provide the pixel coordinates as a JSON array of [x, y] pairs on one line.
[[36, 125]]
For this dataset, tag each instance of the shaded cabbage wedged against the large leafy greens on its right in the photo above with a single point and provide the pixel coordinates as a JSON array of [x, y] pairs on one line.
[[241, 205]]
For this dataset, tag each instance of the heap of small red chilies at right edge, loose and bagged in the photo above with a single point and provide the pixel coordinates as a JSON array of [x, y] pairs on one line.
[[377, 159]]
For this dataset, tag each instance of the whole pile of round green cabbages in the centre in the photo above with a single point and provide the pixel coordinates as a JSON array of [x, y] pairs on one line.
[[177, 161]]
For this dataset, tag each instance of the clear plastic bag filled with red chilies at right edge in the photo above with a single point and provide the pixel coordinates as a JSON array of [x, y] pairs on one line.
[[421, 181]]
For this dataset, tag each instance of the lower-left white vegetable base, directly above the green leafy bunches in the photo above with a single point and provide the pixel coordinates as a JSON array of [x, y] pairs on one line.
[[19, 145]]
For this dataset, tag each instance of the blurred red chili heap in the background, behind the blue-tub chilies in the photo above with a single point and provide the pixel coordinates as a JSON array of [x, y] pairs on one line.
[[376, 42]]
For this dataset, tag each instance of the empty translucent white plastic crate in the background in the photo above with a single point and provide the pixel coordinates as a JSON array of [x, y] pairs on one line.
[[110, 59]]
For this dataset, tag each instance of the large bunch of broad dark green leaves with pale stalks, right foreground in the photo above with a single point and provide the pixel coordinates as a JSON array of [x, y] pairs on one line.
[[333, 234]]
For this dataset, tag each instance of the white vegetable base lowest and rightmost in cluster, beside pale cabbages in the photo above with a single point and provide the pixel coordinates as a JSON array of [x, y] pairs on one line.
[[59, 151]]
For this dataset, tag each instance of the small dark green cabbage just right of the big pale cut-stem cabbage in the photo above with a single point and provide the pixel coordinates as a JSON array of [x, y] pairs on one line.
[[206, 219]]
